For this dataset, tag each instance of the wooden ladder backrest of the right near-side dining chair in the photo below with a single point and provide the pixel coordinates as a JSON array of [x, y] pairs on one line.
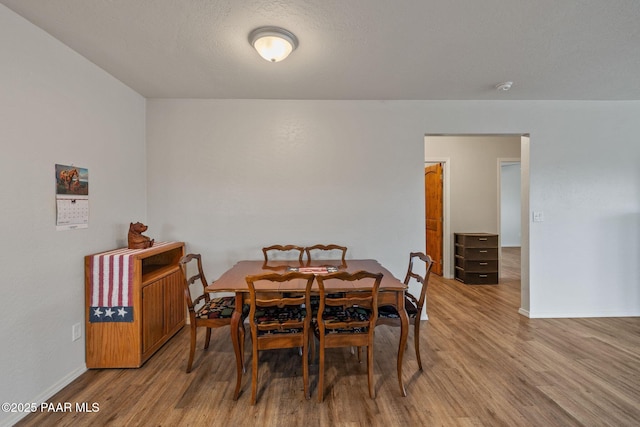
[[362, 294]]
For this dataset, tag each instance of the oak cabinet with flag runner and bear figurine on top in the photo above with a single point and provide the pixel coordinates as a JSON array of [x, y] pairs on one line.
[[156, 309]]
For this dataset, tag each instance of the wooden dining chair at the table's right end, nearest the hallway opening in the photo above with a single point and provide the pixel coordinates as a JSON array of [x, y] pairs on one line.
[[388, 315]]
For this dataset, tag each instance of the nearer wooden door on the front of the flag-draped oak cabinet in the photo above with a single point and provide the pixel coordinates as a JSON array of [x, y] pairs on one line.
[[152, 314]]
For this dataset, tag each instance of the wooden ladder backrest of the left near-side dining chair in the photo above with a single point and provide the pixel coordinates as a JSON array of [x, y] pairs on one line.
[[296, 291]]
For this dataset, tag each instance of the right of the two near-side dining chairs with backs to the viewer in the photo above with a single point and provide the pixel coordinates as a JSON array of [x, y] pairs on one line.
[[347, 317]]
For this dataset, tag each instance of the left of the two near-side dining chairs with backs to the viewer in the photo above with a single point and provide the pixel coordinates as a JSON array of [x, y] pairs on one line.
[[280, 320]]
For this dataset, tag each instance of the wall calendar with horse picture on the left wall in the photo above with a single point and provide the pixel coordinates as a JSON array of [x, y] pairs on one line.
[[72, 197]]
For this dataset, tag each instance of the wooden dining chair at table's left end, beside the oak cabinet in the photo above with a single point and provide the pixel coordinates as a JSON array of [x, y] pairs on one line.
[[205, 311]]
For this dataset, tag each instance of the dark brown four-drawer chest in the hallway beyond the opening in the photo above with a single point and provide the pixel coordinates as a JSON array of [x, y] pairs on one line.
[[476, 258]]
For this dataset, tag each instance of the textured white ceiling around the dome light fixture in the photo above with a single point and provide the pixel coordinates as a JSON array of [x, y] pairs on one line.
[[357, 49]]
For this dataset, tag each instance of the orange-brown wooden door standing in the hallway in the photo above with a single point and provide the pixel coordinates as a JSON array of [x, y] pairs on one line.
[[433, 215]]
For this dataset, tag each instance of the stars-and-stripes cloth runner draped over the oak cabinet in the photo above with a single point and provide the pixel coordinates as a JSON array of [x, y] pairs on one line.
[[111, 278]]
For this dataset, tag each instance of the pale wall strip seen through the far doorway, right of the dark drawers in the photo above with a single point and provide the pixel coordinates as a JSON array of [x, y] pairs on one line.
[[510, 207]]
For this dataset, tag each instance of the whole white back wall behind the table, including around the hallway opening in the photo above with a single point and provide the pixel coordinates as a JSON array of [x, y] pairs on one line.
[[226, 177]]
